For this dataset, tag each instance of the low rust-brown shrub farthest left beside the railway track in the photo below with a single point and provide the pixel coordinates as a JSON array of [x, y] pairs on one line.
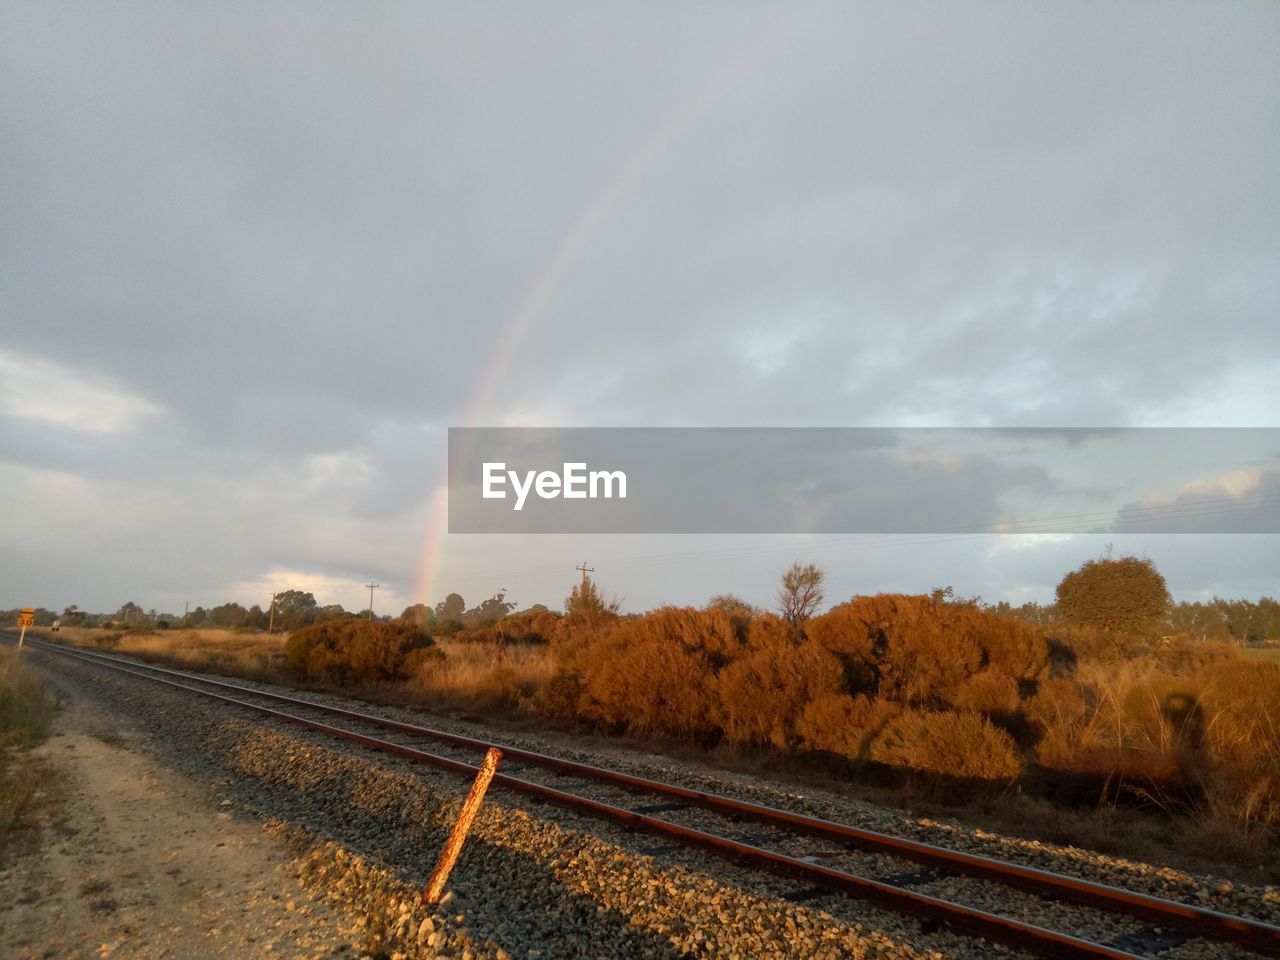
[[354, 651]]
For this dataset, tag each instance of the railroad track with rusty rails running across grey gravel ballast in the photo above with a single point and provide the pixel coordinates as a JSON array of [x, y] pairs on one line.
[[826, 857]]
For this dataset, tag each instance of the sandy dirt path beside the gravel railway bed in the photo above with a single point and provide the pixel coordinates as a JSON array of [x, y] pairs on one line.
[[130, 860]]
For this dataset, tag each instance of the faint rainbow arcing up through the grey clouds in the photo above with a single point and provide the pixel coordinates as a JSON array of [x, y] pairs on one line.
[[566, 253]]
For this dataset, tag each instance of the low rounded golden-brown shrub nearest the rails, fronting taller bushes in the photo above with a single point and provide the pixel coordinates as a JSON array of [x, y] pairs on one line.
[[952, 743]]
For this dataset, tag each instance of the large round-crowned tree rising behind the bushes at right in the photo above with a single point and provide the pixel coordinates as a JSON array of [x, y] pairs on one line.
[[1127, 595]]
